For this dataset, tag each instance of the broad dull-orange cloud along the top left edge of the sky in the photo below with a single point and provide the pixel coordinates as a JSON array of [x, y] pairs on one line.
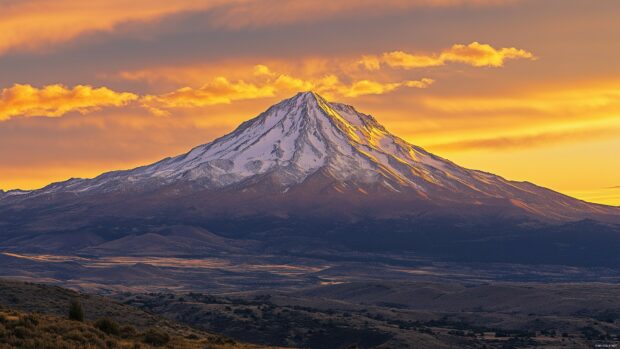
[[32, 24]]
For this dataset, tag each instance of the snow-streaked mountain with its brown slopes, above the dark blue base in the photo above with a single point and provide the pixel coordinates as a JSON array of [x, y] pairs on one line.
[[314, 152]]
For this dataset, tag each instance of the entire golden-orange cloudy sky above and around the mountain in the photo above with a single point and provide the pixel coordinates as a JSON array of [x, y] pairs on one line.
[[526, 89]]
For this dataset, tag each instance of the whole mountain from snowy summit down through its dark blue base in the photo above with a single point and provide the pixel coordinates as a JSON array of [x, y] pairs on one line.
[[308, 178]]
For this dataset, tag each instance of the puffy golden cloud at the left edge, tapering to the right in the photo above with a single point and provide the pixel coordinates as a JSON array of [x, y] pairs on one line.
[[57, 100]]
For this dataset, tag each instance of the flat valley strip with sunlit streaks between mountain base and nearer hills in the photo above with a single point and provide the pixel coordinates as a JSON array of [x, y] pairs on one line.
[[234, 273]]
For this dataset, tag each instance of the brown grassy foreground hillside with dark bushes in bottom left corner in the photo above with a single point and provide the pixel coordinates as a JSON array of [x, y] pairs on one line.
[[50, 317]]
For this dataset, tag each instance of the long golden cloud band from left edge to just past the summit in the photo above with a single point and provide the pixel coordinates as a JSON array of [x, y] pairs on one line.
[[57, 100]]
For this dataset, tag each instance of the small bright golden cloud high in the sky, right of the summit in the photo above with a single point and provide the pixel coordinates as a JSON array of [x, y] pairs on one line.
[[474, 54]]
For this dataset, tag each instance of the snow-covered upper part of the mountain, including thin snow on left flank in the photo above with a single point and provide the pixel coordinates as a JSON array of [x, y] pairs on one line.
[[291, 141]]
